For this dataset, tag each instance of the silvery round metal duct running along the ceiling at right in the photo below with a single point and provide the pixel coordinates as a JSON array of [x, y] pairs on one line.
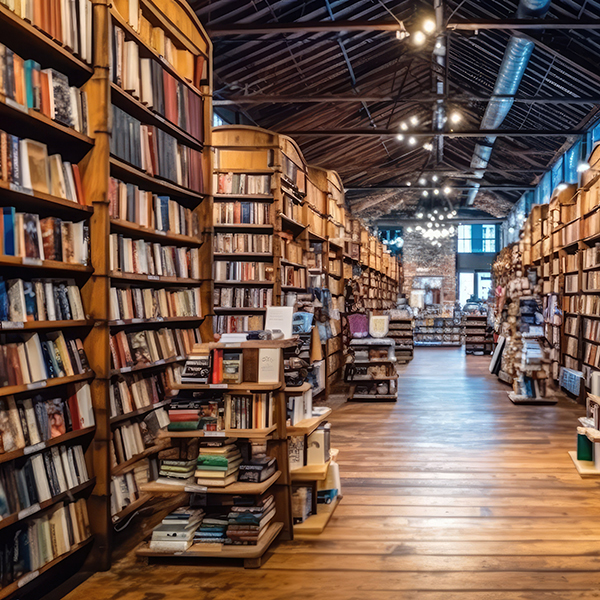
[[516, 57]]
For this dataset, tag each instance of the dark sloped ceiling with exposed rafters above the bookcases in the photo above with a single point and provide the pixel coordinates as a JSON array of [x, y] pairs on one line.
[[390, 78]]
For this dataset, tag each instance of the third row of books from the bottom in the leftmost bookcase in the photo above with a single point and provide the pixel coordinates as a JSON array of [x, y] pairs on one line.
[[31, 421]]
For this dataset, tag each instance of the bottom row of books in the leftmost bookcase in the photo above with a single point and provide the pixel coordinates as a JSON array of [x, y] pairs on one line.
[[39, 541]]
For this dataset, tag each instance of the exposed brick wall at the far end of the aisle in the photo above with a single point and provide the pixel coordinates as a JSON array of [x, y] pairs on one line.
[[421, 259]]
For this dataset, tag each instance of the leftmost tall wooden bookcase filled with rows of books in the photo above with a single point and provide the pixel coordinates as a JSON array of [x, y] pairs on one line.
[[47, 465]]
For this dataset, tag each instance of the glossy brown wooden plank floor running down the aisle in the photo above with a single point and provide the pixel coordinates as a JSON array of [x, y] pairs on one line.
[[453, 492]]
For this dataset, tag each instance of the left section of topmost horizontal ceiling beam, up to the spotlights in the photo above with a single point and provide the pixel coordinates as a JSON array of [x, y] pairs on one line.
[[222, 29]]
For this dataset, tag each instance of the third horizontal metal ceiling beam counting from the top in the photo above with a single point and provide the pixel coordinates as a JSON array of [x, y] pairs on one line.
[[428, 134]]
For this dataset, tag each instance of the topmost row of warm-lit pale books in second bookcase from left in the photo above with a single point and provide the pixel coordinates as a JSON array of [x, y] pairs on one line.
[[190, 67]]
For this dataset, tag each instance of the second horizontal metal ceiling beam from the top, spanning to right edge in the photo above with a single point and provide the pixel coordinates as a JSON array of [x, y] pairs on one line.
[[277, 99]]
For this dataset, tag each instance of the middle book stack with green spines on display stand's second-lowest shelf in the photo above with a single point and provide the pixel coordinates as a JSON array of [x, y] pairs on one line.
[[218, 462]]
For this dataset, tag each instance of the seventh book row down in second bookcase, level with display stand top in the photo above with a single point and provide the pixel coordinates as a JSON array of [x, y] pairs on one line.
[[142, 348]]
